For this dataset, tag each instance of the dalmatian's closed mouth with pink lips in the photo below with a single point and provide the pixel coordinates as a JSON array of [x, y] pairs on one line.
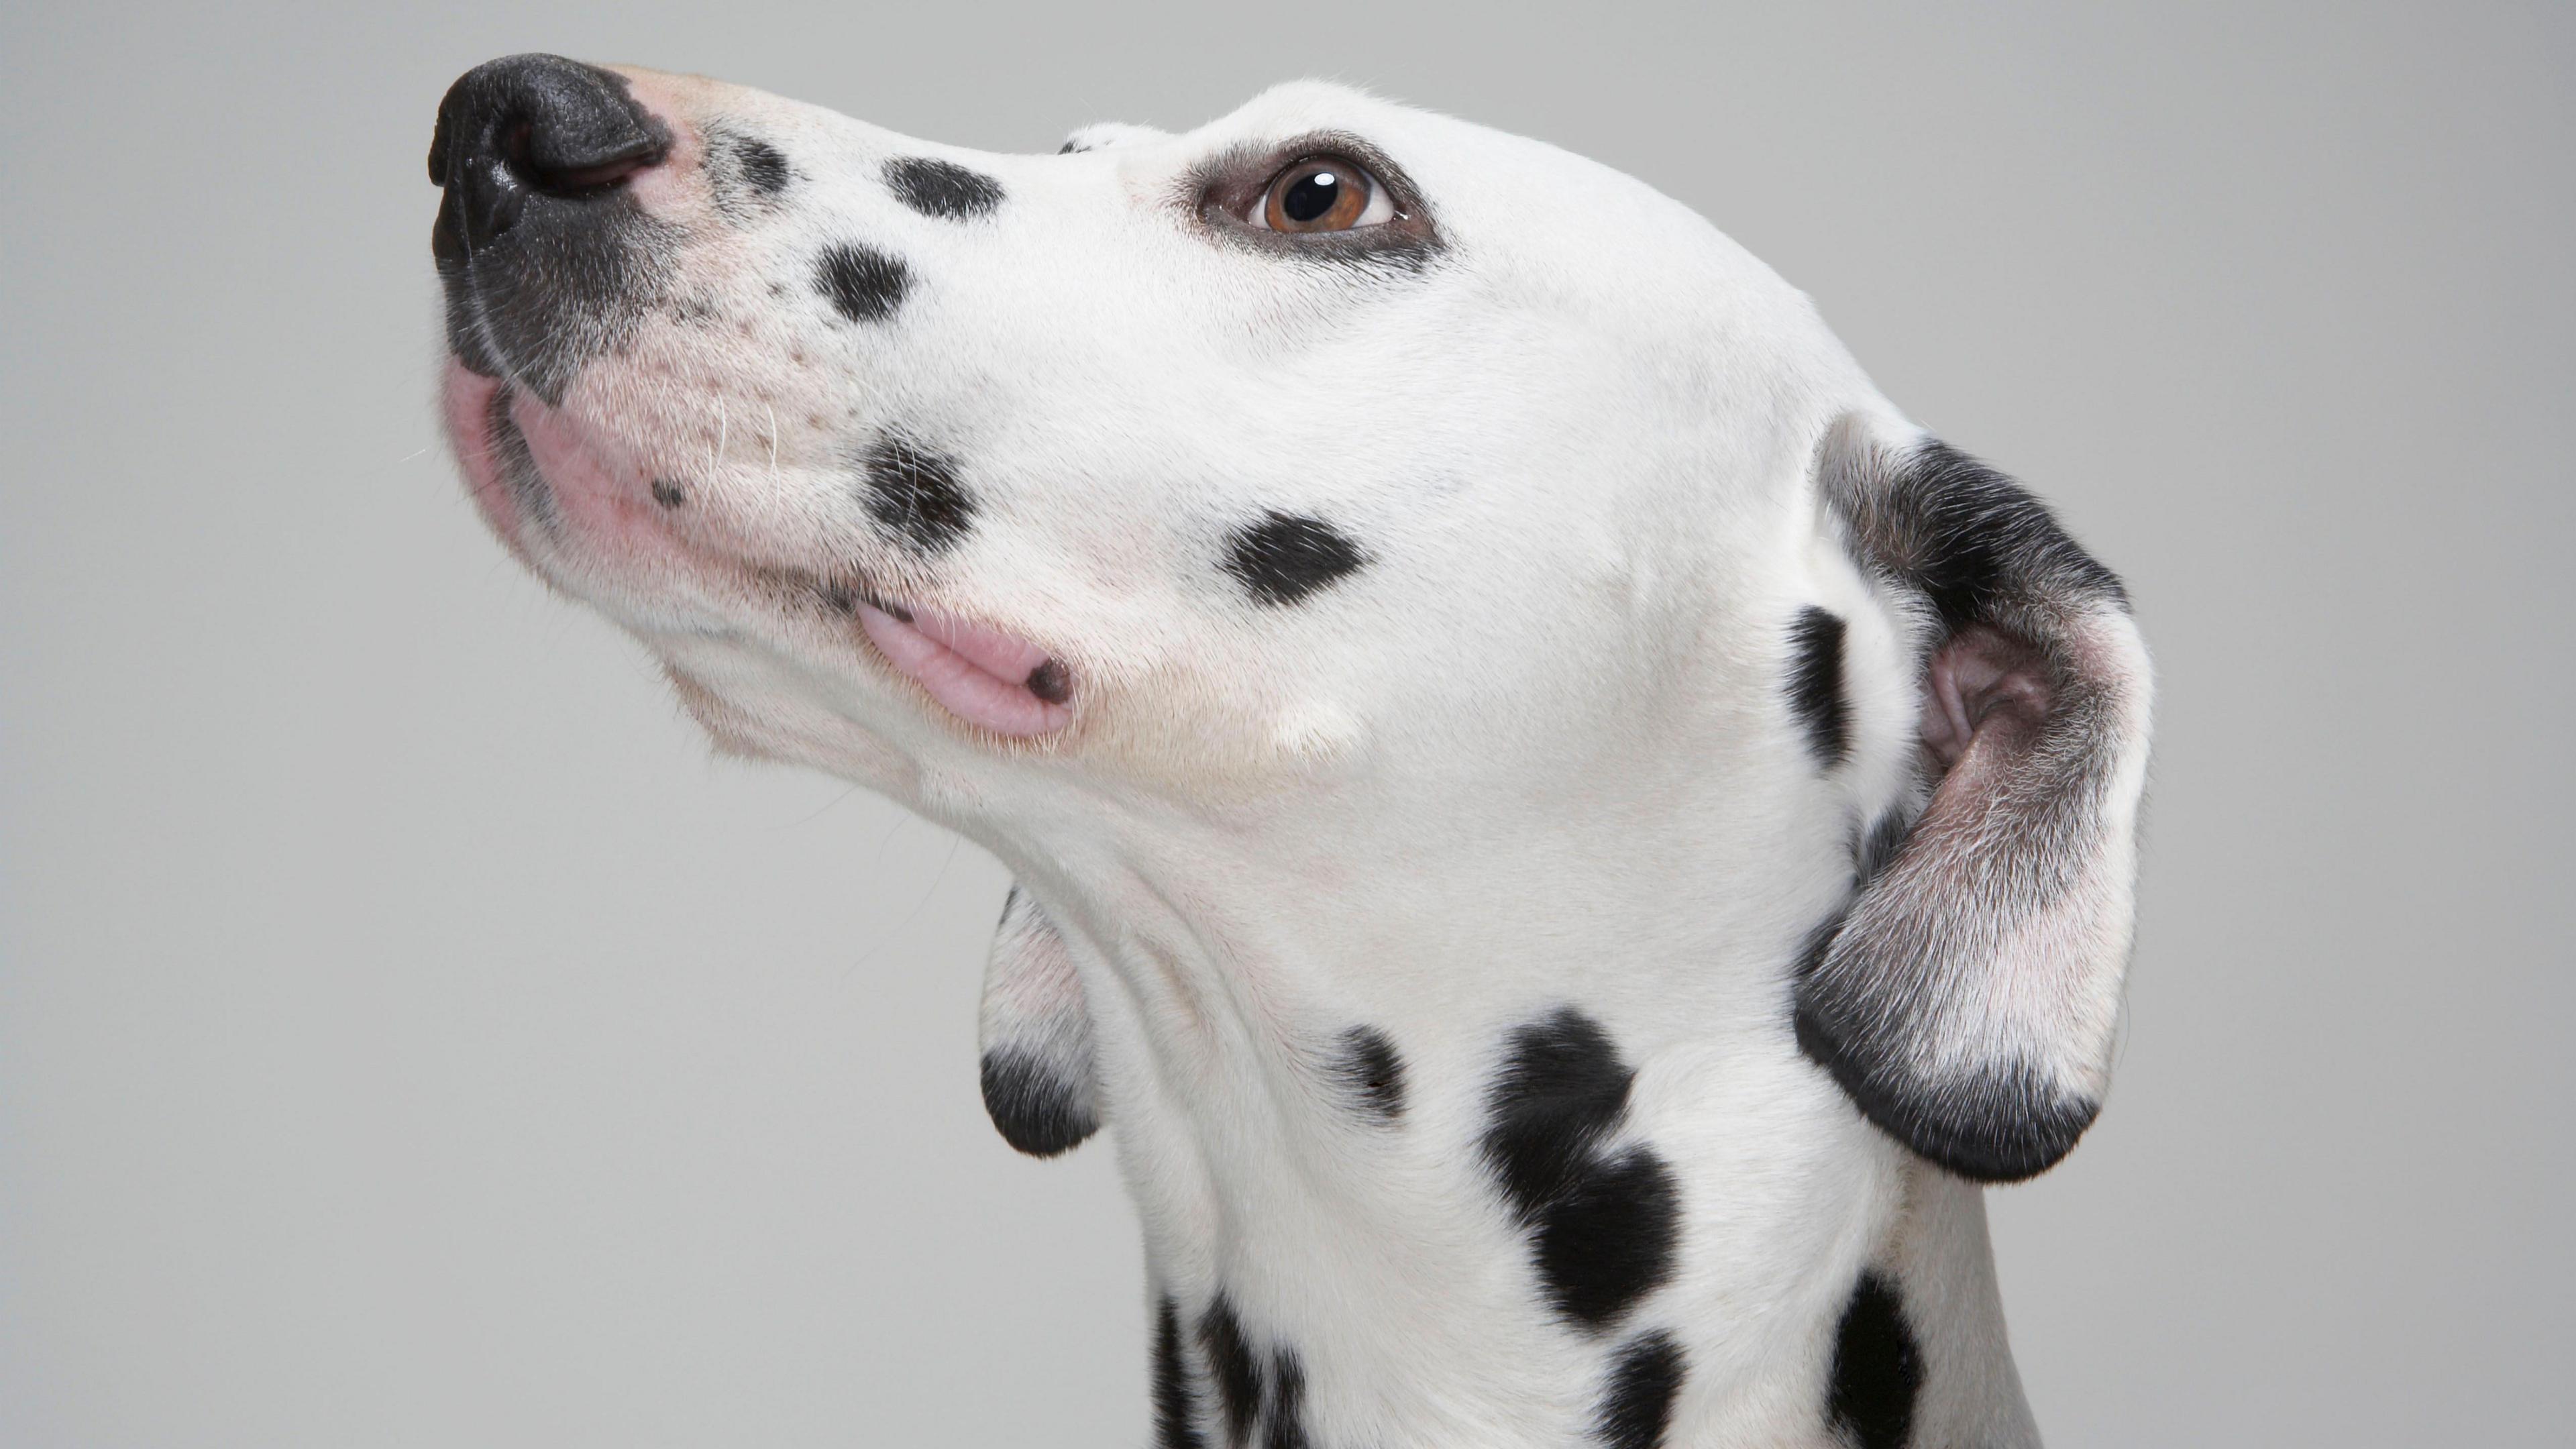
[[540, 486]]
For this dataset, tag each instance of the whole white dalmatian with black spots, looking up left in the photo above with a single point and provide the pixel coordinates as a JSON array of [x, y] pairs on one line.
[[1567, 837]]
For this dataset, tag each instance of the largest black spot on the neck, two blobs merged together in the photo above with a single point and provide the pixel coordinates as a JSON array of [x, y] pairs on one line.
[[1604, 1223]]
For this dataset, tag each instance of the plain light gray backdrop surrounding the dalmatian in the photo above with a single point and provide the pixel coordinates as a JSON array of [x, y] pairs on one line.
[[408, 1038]]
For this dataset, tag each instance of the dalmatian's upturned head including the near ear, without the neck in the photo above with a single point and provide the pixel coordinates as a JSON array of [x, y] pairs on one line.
[[1305, 468]]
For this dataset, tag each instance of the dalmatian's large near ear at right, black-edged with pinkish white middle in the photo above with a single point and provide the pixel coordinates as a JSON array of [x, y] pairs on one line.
[[1969, 997]]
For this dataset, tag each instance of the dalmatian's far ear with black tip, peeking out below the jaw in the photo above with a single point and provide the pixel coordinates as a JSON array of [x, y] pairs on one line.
[[1039, 1084]]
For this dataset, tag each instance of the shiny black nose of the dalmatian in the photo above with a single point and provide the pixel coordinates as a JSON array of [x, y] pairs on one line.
[[535, 125]]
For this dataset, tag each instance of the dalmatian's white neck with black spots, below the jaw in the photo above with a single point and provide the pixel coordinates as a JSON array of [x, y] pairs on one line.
[[1467, 1123]]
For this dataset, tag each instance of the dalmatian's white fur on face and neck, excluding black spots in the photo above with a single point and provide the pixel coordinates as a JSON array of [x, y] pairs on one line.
[[1534, 754]]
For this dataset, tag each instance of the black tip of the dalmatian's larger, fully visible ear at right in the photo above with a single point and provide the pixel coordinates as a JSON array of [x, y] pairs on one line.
[[2000, 1125]]
